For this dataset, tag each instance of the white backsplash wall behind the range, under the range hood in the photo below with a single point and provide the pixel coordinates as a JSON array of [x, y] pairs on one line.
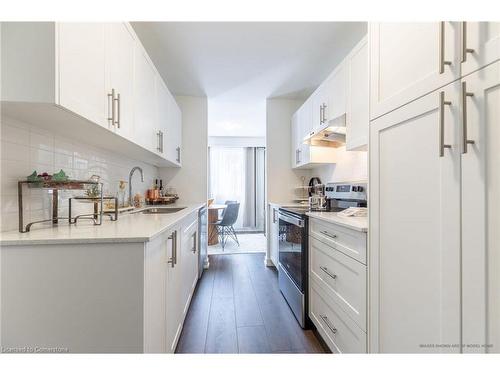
[[350, 166]]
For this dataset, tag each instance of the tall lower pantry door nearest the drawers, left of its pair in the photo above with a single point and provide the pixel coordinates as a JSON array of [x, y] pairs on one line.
[[415, 227]]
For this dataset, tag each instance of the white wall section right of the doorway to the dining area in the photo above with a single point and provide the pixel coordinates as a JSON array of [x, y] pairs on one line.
[[281, 178]]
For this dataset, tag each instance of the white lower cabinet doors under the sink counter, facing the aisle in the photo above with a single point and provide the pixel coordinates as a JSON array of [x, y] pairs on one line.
[[171, 274]]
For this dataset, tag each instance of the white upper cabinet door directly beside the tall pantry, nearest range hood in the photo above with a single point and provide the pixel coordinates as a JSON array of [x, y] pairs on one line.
[[357, 114]]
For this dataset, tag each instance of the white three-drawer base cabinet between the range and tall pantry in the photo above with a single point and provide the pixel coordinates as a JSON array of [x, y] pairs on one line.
[[337, 288]]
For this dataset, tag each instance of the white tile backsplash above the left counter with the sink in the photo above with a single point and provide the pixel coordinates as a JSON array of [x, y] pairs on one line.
[[26, 147]]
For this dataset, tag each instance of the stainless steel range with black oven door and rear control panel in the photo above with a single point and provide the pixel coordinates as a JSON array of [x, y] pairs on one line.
[[293, 243]]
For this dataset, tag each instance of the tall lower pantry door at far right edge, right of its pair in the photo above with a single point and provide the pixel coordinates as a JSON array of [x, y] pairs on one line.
[[480, 210]]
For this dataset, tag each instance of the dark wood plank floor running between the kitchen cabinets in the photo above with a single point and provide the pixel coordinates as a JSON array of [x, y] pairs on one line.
[[238, 308]]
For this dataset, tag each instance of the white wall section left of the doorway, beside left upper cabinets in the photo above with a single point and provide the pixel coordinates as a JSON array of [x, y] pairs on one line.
[[191, 181]]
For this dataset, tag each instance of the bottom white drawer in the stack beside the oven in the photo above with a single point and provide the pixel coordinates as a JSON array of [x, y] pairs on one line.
[[340, 333]]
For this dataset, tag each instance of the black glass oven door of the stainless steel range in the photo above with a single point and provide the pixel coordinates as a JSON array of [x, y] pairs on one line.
[[292, 247]]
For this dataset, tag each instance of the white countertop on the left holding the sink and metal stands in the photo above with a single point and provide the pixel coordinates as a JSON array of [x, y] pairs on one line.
[[130, 227]]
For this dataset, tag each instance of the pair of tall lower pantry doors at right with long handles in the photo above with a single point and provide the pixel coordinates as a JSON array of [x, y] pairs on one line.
[[434, 243]]
